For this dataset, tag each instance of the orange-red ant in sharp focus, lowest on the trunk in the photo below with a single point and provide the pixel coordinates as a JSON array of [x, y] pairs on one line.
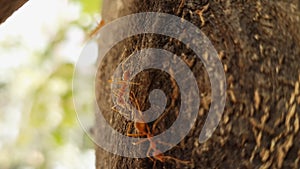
[[143, 130]]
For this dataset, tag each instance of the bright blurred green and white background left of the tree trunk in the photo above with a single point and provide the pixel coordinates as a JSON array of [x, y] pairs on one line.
[[39, 46]]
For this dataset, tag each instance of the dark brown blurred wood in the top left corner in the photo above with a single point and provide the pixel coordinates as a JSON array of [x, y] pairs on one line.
[[8, 7]]
